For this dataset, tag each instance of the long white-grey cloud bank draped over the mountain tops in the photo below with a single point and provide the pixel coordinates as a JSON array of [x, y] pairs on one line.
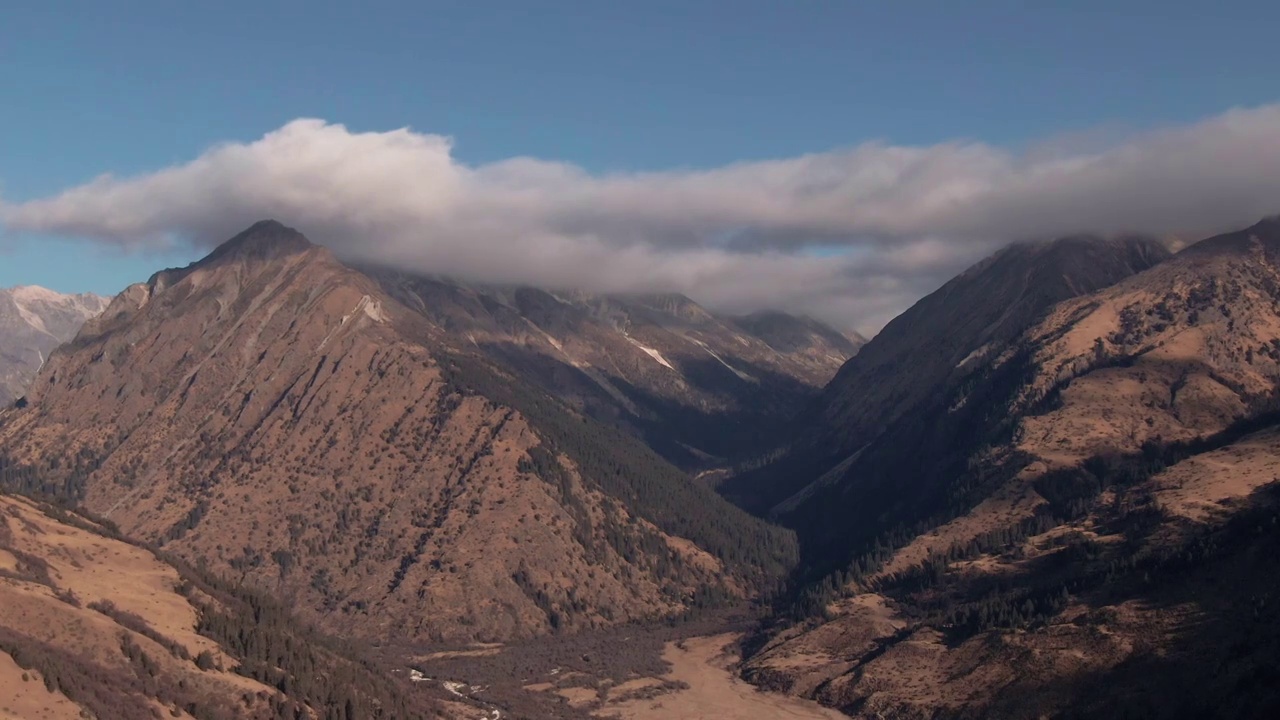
[[852, 236]]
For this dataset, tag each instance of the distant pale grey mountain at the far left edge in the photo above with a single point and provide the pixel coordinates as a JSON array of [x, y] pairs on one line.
[[34, 322]]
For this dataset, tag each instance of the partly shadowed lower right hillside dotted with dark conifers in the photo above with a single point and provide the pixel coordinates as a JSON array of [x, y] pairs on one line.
[[1131, 593]]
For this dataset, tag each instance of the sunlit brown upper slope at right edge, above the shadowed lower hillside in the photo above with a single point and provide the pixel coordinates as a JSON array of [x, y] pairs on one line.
[[1178, 353]]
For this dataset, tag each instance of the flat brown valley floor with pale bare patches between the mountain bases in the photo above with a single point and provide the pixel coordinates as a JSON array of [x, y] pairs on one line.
[[636, 673]]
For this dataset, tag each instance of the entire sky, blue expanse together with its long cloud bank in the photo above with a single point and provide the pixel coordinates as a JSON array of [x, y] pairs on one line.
[[834, 158]]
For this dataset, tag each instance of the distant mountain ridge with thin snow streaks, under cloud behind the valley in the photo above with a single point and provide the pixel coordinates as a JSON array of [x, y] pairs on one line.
[[701, 389]]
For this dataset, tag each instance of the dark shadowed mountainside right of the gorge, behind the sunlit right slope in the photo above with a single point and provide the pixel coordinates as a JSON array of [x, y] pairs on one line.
[[931, 349]]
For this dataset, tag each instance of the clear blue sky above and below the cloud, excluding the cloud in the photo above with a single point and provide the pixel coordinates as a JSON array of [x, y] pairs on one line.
[[131, 88]]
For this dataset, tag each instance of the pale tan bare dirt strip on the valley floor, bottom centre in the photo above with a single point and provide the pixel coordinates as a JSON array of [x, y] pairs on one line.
[[714, 690]]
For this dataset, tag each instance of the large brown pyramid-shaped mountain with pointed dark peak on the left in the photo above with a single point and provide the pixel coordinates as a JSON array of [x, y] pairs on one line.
[[278, 417]]
